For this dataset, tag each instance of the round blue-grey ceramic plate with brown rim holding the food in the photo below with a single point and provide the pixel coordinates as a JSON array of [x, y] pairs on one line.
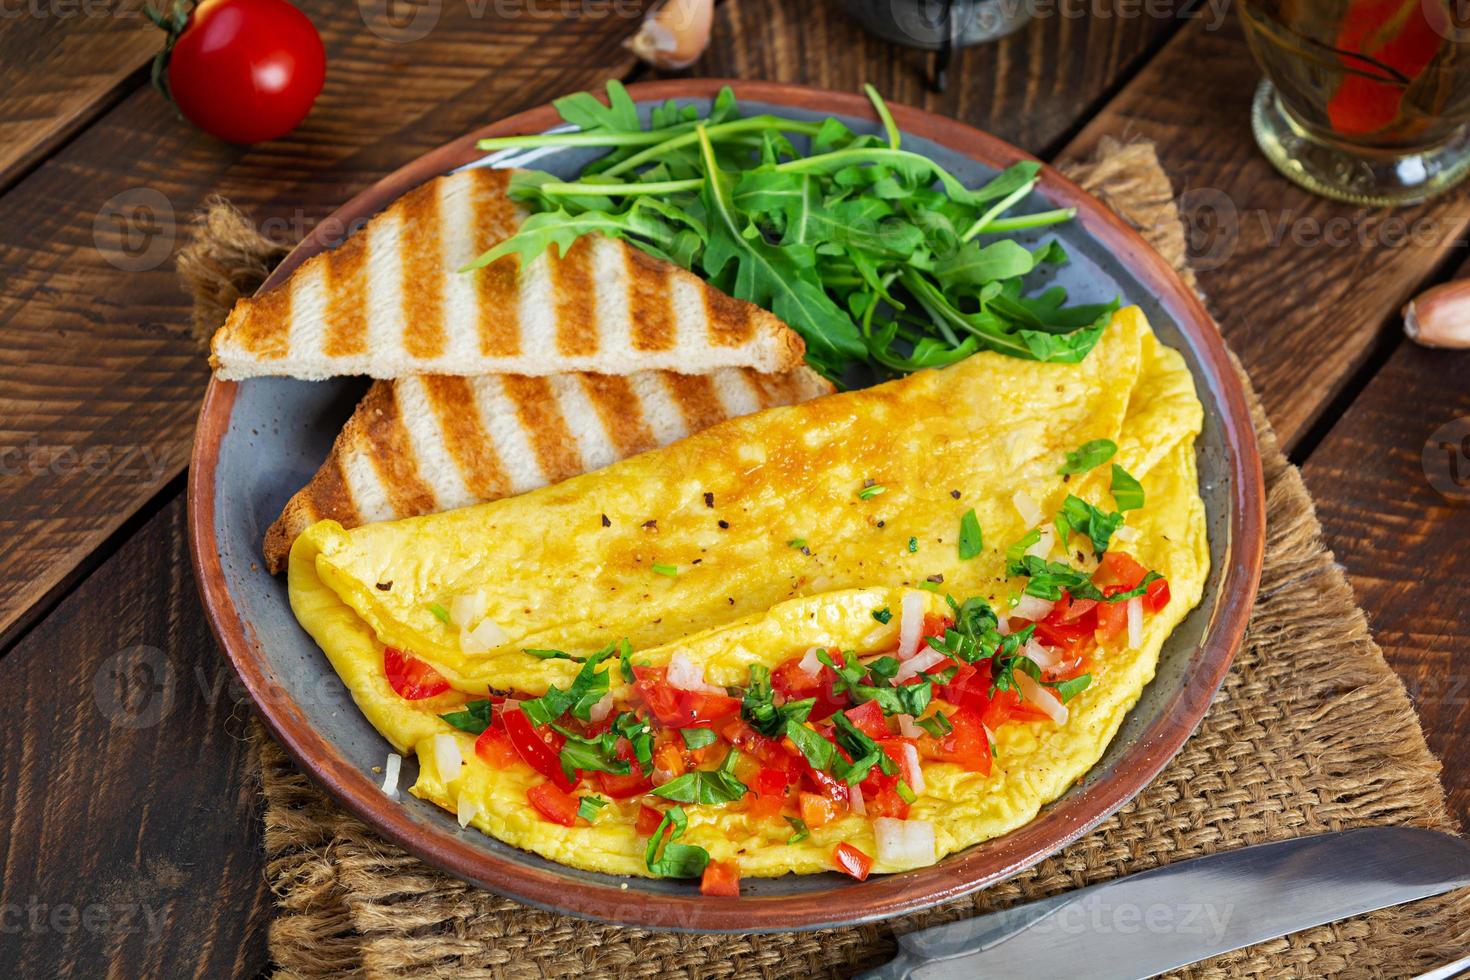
[[259, 442]]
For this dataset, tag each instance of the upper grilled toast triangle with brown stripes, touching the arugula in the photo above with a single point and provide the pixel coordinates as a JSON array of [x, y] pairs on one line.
[[390, 302]]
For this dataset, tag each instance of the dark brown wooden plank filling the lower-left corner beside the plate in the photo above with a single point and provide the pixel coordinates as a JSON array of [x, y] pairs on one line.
[[133, 826]]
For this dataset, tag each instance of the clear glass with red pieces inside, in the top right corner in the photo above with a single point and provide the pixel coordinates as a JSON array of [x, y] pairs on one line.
[[1365, 101]]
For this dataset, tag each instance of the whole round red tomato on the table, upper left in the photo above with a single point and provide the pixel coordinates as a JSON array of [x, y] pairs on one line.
[[246, 71]]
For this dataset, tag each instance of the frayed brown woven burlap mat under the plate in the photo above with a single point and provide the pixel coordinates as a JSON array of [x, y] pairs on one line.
[[1312, 732]]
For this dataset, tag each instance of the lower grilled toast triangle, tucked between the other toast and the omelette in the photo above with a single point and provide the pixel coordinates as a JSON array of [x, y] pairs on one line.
[[418, 446]]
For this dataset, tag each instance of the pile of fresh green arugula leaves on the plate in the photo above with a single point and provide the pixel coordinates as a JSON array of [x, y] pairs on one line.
[[881, 259]]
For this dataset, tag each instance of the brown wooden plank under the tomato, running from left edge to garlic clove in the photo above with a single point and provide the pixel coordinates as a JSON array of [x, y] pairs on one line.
[[99, 375]]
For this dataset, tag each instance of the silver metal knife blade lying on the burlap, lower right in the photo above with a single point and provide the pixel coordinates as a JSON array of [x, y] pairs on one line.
[[1168, 918]]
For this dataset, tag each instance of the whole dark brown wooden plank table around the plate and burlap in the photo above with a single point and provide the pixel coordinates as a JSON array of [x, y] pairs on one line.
[[133, 843]]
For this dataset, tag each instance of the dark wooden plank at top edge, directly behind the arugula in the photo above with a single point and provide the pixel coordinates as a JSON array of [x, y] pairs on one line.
[[1031, 89]]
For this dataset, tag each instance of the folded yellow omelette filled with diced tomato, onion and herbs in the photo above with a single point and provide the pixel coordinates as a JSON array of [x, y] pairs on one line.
[[858, 634]]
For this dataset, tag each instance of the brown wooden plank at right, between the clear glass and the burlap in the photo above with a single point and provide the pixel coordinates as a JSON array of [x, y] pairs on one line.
[[1305, 289]]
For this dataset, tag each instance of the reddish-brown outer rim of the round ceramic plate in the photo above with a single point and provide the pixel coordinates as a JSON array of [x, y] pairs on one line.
[[853, 903]]
